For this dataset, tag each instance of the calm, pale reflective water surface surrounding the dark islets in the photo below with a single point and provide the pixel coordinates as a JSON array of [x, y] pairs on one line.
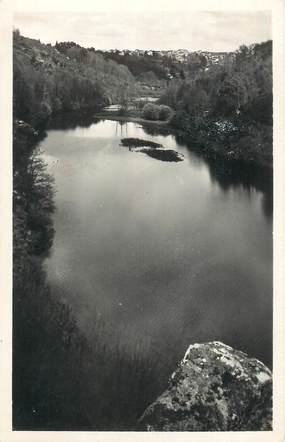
[[165, 254]]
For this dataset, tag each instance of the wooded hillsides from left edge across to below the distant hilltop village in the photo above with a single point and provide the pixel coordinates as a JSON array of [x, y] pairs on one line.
[[67, 77]]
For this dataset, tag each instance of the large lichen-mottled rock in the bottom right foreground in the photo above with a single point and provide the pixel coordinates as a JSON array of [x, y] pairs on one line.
[[215, 388]]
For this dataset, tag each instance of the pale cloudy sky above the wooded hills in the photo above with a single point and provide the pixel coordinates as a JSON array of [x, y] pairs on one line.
[[160, 30]]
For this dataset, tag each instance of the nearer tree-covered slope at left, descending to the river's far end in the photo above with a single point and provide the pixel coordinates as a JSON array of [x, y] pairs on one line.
[[48, 81]]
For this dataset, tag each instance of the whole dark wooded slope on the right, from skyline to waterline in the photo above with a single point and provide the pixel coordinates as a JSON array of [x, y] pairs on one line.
[[226, 110]]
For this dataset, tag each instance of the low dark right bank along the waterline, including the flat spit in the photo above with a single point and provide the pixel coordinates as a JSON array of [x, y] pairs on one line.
[[227, 140]]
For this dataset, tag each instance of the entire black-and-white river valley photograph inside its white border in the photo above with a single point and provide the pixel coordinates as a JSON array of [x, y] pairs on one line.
[[143, 172]]
